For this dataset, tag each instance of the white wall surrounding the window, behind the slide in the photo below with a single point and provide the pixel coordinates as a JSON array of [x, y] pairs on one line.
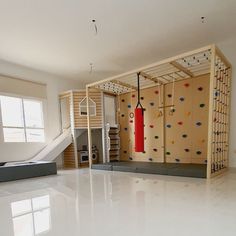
[[55, 85]]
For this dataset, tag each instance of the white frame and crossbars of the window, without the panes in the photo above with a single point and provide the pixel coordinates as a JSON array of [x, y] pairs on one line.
[[24, 127]]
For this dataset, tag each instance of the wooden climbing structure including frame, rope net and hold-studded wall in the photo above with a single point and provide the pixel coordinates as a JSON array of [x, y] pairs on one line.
[[186, 104]]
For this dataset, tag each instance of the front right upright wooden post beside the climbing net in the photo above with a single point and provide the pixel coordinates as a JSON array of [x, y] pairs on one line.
[[210, 119]]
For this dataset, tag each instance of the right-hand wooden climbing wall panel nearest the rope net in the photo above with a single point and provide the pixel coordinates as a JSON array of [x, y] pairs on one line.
[[186, 129]]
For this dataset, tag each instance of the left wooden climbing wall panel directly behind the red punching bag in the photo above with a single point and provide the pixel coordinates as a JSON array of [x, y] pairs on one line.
[[153, 141]]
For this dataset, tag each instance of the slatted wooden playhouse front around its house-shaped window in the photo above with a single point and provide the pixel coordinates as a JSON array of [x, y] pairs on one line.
[[81, 121]]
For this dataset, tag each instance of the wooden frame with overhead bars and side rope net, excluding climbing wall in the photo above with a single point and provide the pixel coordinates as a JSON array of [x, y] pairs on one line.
[[206, 60]]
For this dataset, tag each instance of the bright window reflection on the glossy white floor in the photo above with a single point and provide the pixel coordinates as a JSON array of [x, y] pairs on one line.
[[31, 217]]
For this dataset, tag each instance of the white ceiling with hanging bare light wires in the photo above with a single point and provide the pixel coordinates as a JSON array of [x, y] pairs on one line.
[[57, 36]]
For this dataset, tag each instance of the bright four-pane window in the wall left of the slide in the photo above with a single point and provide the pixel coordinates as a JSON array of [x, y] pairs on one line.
[[22, 119]]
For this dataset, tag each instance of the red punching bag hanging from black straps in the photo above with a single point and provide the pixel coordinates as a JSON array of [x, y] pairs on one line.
[[139, 124]]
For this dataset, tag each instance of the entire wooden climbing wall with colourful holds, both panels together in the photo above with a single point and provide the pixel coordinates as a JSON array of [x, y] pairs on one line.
[[186, 128]]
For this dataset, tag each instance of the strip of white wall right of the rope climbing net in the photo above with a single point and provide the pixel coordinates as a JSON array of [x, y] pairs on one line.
[[229, 49]]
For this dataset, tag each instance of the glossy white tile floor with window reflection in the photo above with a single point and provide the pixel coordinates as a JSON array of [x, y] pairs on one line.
[[102, 203]]
